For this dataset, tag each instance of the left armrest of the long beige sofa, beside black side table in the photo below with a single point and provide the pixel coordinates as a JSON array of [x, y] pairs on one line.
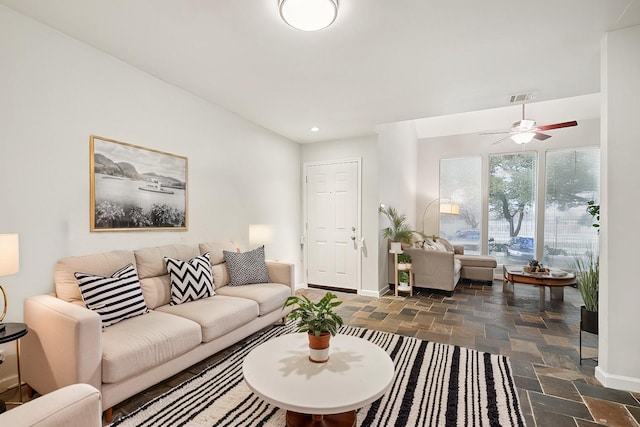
[[63, 345]]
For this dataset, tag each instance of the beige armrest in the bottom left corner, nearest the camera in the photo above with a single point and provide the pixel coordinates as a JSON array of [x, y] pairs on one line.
[[77, 405]]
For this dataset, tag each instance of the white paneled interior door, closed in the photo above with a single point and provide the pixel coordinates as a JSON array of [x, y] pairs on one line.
[[332, 208]]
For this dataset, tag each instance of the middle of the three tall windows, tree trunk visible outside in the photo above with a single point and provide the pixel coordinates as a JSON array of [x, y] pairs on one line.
[[512, 207]]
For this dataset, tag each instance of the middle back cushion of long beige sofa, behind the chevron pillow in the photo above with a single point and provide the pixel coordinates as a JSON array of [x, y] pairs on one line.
[[152, 270]]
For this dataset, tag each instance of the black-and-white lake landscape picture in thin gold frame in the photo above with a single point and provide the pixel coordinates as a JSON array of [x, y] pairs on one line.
[[136, 188]]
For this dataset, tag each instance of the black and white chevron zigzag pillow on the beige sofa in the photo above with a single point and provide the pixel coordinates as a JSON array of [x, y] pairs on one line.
[[190, 280]]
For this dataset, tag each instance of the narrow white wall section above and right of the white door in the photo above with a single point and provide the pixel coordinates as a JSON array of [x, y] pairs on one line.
[[366, 149]]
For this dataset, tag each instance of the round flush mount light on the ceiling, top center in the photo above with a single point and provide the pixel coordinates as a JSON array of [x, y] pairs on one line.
[[309, 15]]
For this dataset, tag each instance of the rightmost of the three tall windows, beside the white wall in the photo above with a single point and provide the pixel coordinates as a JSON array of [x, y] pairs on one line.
[[572, 179]]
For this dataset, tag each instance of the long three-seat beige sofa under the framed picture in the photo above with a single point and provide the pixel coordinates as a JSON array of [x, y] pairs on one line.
[[67, 344]]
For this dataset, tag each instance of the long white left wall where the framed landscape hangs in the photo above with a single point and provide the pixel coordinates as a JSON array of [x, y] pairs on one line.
[[55, 92]]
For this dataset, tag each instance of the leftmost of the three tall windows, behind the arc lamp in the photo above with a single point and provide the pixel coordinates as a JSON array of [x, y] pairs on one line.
[[460, 182]]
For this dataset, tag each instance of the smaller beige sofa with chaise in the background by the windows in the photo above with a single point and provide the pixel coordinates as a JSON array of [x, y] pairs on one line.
[[441, 267]]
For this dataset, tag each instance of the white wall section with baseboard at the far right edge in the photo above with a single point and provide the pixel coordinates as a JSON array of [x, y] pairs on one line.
[[619, 316]]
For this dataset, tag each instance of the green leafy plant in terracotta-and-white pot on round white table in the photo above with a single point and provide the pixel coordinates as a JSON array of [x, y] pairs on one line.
[[319, 320]]
